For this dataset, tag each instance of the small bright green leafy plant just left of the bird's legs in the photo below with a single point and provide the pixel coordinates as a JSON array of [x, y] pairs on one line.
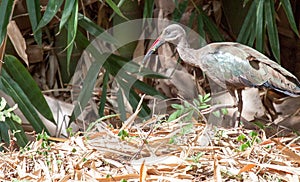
[[198, 104]]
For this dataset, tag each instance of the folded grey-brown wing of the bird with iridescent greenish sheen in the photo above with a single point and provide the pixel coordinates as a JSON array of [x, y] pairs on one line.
[[238, 64]]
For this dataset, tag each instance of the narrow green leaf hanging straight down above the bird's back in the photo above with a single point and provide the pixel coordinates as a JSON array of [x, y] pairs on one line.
[[259, 26]]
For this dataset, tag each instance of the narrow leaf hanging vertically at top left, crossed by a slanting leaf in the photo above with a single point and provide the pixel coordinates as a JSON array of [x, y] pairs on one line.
[[33, 7]]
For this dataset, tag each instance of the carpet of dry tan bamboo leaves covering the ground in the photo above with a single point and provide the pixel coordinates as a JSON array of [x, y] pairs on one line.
[[147, 155]]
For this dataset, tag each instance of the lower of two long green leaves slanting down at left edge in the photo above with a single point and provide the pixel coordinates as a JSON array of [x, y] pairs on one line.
[[12, 89]]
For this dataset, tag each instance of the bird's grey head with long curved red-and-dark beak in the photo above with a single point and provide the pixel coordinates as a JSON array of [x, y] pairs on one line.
[[172, 33]]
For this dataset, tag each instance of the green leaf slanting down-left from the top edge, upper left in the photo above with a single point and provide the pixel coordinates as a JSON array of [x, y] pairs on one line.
[[51, 10]]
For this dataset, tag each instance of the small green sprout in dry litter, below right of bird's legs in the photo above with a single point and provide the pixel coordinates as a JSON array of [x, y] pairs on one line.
[[248, 141]]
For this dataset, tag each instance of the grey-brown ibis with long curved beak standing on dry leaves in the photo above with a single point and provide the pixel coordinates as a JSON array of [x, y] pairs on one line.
[[231, 65]]
